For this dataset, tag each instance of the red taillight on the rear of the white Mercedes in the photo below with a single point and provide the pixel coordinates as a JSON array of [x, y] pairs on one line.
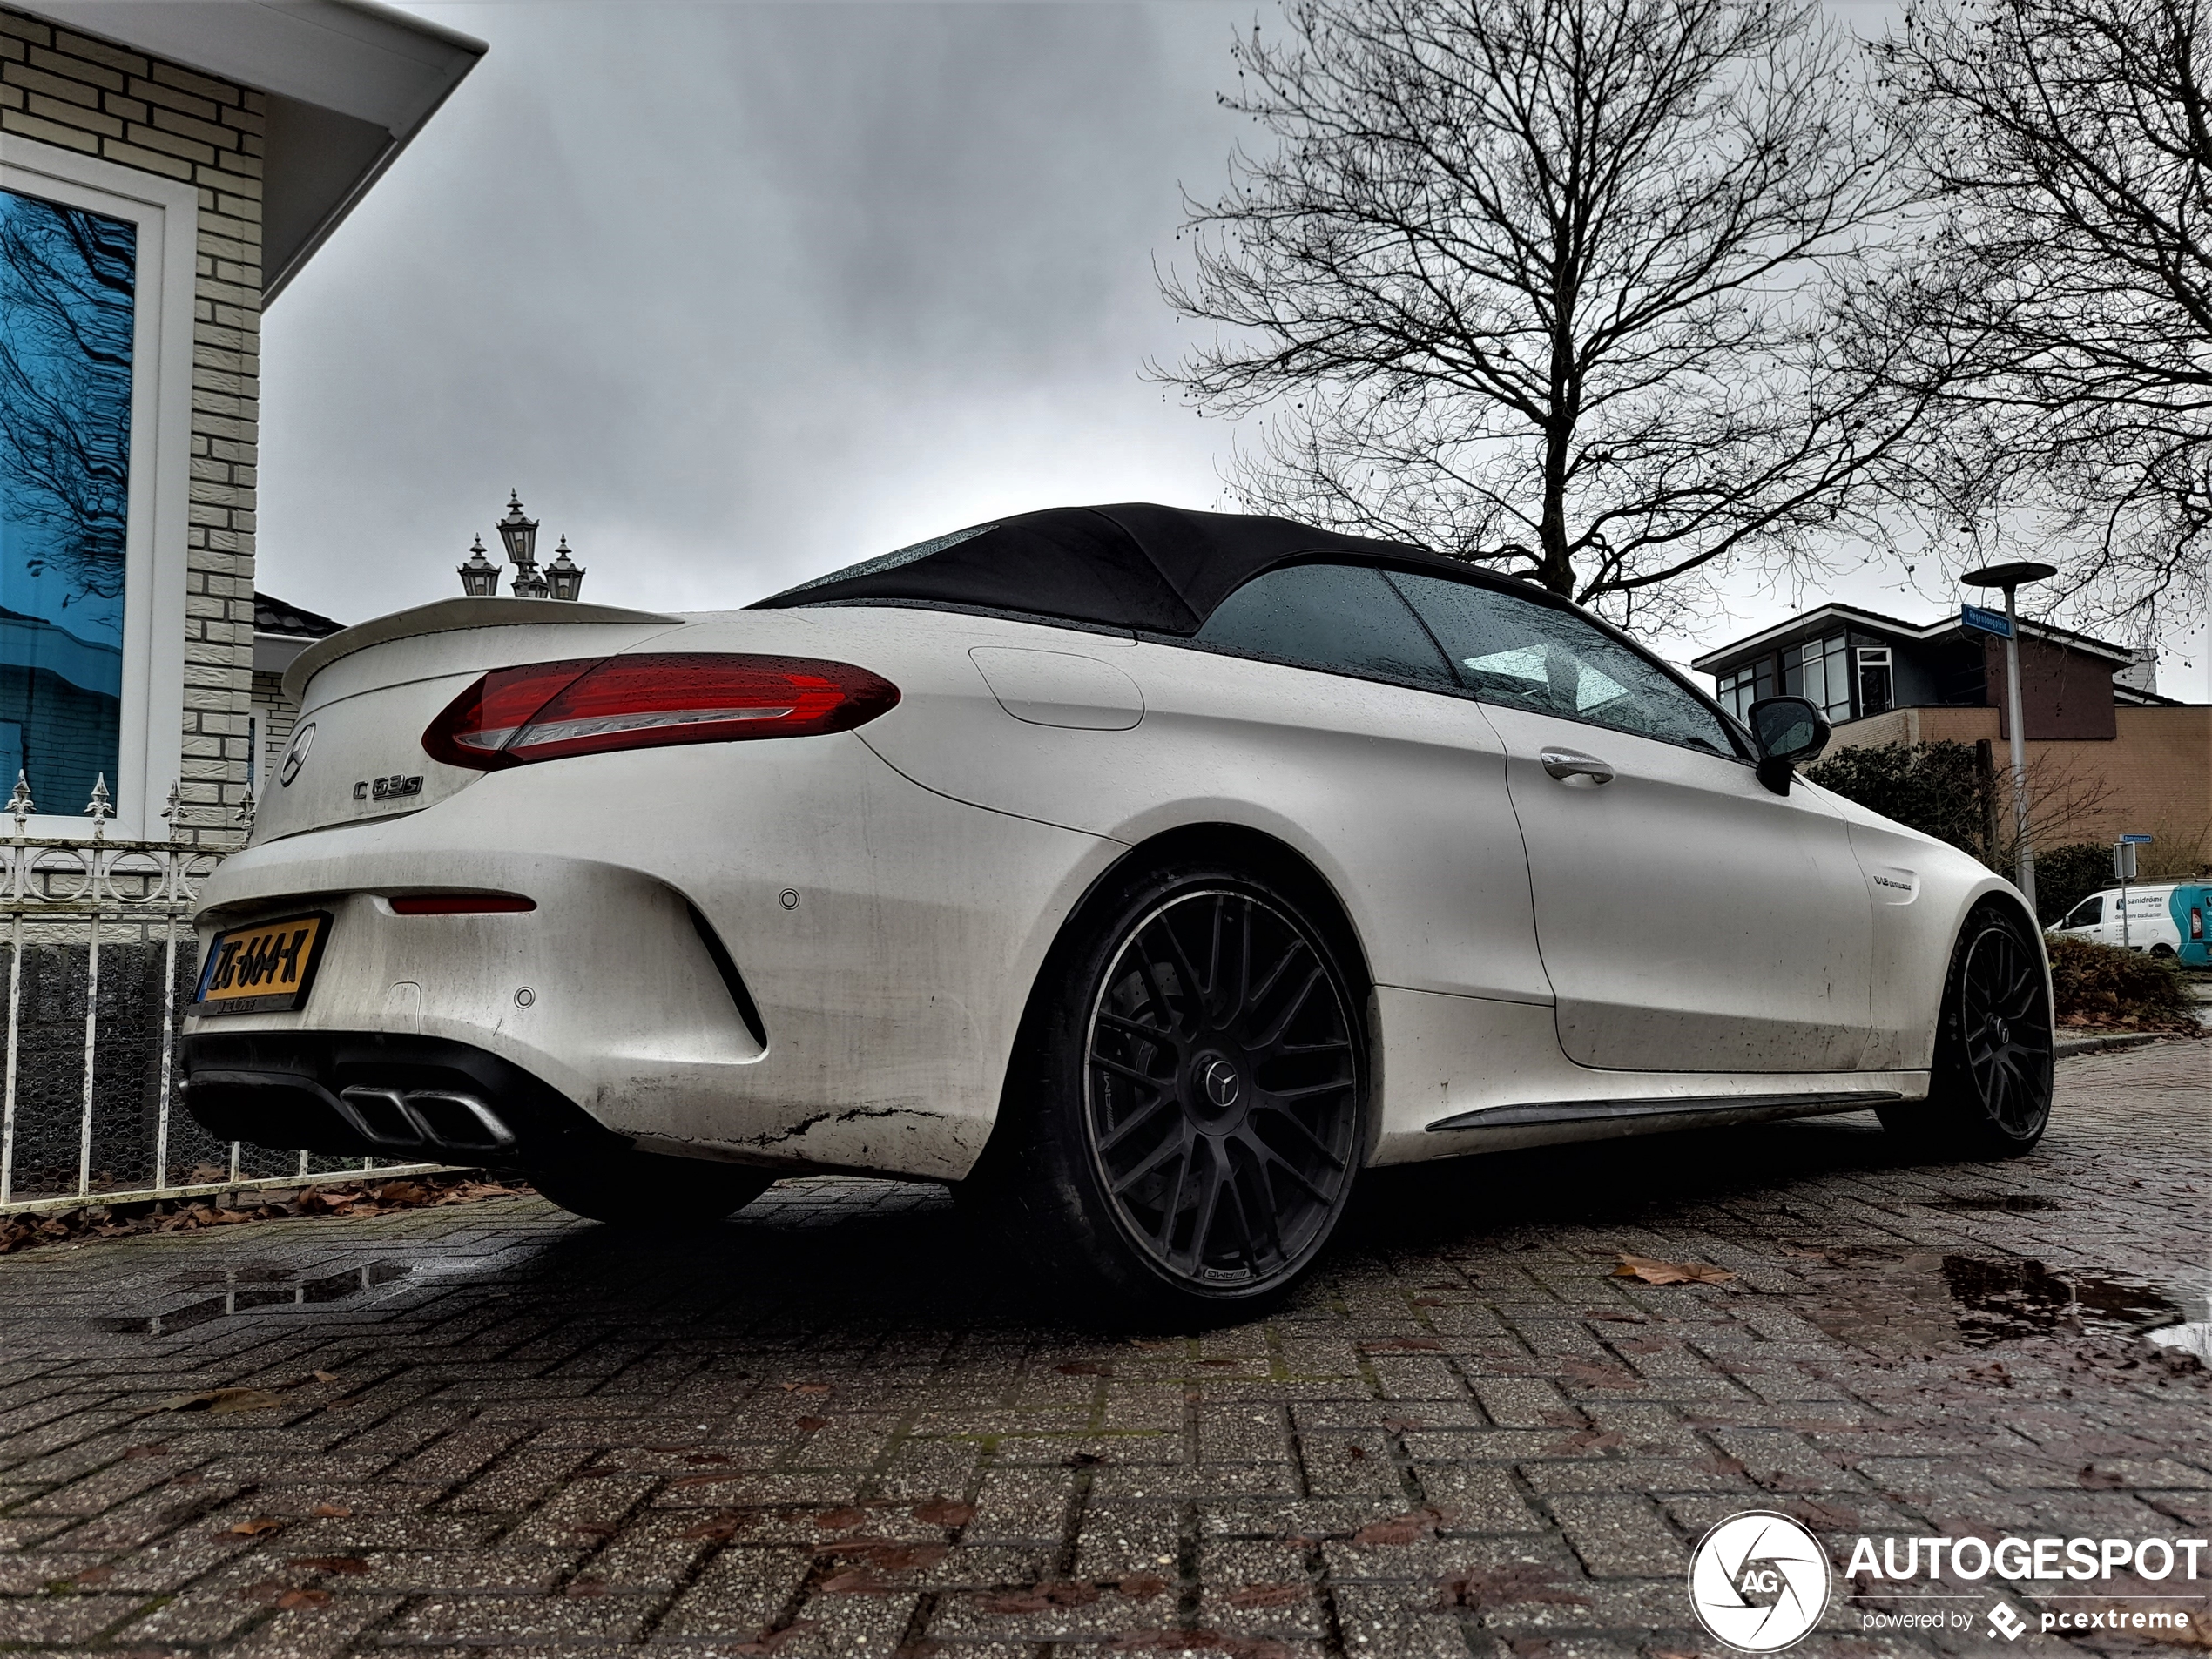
[[585, 707]]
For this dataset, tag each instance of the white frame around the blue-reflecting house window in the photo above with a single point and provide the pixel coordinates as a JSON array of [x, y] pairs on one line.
[[149, 744]]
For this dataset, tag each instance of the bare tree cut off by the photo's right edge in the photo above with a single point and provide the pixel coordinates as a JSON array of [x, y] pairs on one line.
[[2065, 289]]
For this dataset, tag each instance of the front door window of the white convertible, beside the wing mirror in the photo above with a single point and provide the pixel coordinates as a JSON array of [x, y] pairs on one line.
[[1530, 656]]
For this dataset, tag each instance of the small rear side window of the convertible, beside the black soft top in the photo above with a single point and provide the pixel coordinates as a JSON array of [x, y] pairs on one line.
[[1339, 618]]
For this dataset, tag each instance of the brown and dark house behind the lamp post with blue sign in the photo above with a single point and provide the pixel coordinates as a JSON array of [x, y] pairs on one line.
[[2098, 731]]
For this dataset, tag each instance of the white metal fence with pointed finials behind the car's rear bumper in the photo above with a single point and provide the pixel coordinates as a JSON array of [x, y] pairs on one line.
[[101, 970]]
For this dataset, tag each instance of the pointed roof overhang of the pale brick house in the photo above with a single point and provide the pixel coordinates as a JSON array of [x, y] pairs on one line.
[[348, 81]]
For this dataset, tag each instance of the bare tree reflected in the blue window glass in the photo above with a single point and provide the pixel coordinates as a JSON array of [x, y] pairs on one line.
[[65, 382]]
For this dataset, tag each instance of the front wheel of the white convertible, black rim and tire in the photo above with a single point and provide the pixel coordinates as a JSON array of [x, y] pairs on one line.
[[1990, 1094]]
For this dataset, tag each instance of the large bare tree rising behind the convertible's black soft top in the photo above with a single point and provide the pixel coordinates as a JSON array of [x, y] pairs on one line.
[[1554, 284]]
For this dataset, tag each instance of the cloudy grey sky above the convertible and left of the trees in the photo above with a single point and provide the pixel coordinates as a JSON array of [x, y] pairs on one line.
[[742, 293]]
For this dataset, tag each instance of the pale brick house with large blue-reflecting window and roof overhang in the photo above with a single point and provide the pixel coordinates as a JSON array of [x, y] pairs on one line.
[[167, 167]]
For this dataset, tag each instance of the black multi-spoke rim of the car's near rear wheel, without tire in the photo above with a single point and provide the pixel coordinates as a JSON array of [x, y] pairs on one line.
[[1222, 1089]]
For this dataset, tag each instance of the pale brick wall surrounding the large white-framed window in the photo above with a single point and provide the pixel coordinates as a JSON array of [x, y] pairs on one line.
[[143, 114]]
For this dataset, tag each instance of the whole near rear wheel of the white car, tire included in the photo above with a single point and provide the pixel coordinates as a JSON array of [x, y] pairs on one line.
[[1189, 1103]]
